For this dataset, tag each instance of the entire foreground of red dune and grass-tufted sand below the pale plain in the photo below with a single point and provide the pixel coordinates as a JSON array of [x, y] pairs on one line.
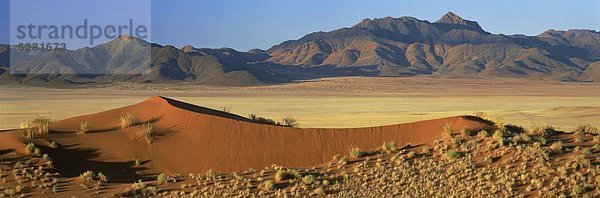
[[462, 156]]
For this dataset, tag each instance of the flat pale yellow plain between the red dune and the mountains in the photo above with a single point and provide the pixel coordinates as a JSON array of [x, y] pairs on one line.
[[334, 102]]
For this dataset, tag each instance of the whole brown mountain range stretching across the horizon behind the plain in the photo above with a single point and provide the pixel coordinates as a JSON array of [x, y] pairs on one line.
[[405, 46]]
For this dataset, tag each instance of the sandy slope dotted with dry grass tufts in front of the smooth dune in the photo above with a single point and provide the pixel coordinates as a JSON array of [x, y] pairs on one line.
[[549, 165]]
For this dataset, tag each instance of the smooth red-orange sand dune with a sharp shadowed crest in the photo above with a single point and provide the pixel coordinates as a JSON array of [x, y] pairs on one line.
[[195, 139]]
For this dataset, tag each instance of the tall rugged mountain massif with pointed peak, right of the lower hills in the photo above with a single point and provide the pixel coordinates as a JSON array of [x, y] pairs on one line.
[[451, 46]]
